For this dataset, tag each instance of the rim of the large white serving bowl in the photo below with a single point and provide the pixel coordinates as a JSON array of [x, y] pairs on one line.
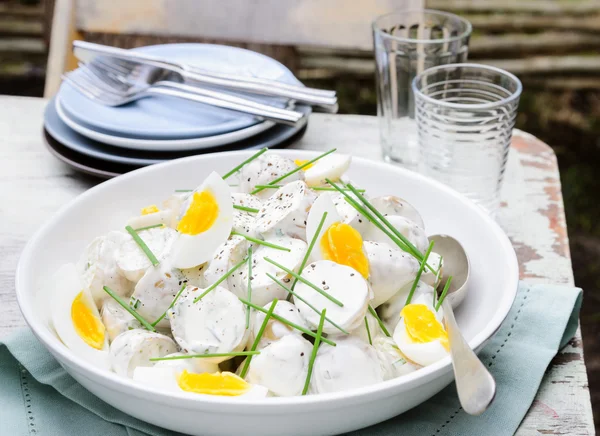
[[189, 401]]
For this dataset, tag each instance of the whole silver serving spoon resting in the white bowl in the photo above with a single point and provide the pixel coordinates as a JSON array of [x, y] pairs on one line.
[[475, 385]]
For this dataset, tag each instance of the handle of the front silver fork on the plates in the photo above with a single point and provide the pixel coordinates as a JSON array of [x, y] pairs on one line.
[[282, 116]]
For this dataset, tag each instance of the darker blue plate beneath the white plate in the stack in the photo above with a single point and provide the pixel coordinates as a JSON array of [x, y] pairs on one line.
[[277, 136]]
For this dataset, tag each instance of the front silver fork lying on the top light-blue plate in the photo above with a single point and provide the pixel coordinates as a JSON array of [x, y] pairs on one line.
[[105, 91]]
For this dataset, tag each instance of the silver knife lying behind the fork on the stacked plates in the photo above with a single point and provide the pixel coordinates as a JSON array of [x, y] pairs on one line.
[[135, 63]]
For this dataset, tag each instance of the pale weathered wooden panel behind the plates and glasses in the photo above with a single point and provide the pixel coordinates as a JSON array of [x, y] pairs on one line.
[[336, 23]]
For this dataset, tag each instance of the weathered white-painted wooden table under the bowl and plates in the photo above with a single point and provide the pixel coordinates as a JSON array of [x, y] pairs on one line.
[[33, 185]]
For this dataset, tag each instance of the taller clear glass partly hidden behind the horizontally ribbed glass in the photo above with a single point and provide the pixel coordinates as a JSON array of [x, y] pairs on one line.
[[406, 43]]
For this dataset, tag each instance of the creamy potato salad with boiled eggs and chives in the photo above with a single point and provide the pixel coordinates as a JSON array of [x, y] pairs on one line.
[[278, 278]]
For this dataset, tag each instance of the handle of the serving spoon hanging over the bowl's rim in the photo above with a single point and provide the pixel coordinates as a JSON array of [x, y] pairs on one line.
[[474, 383]]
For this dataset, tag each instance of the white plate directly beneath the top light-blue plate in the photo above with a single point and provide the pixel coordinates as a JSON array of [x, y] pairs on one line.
[[163, 144]]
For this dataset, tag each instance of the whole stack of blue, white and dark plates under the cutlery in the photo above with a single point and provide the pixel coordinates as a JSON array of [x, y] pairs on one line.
[[108, 141]]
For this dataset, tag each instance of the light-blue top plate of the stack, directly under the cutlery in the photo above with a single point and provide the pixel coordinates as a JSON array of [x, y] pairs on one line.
[[159, 117]]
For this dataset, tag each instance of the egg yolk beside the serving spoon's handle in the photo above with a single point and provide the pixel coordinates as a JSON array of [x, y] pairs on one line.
[[422, 326]]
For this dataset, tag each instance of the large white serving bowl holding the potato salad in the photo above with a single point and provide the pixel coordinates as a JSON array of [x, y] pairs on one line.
[[106, 207]]
